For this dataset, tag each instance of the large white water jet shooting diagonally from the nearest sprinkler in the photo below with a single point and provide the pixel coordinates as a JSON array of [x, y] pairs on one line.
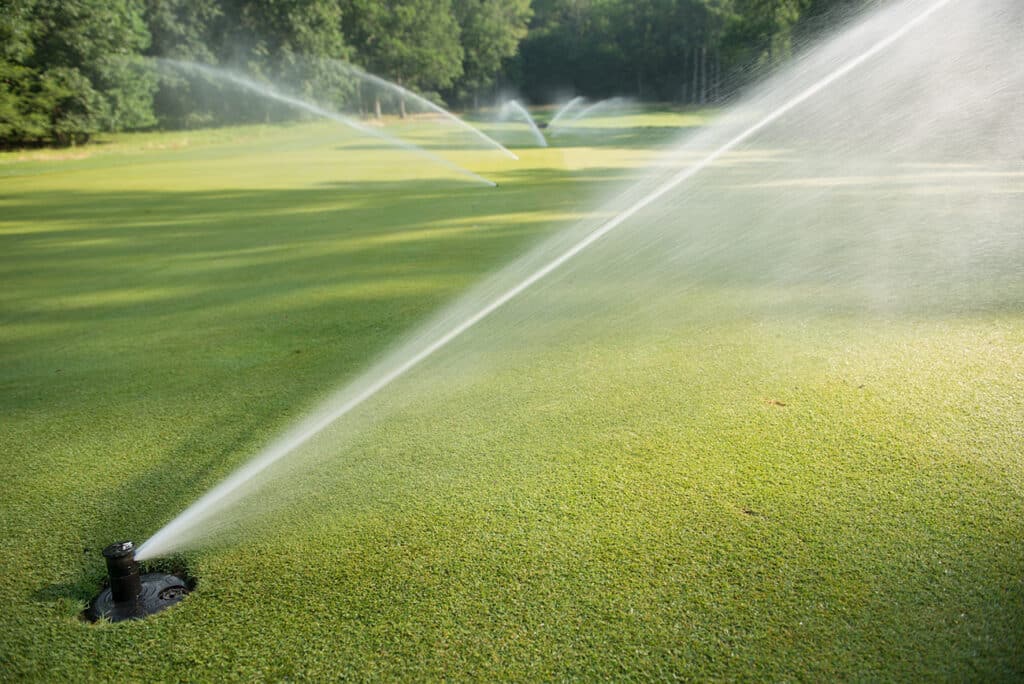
[[826, 68]]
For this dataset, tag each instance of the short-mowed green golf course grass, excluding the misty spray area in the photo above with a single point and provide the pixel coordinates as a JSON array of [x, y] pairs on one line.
[[742, 498]]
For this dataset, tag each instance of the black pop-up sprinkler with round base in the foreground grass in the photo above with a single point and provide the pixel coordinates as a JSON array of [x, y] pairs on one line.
[[132, 595]]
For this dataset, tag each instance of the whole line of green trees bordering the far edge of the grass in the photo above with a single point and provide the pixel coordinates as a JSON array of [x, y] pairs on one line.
[[70, 69]]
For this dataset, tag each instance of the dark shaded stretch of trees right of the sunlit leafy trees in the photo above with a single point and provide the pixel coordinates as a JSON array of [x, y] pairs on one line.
[[692, 52]]
